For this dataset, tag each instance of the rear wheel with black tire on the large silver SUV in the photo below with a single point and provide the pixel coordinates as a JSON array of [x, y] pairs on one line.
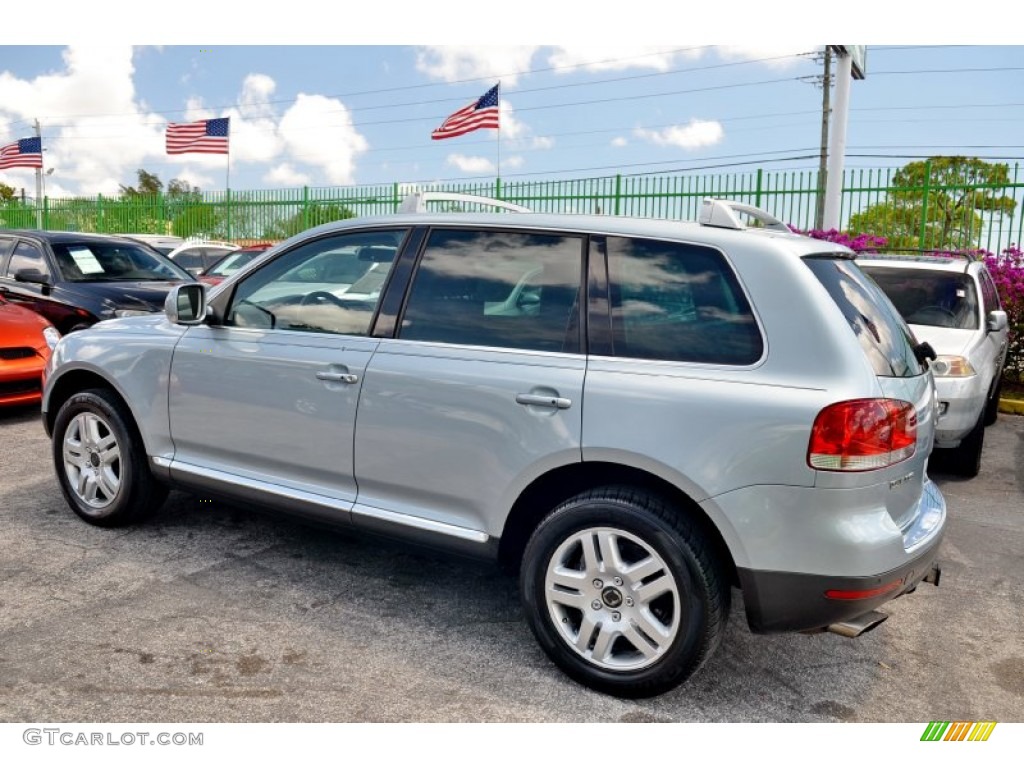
[[698, 610]]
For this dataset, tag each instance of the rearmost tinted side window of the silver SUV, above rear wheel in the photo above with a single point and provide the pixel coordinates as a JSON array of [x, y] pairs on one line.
[[672, 302]]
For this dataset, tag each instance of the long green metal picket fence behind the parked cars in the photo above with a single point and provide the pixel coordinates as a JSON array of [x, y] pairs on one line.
[[915, 216]]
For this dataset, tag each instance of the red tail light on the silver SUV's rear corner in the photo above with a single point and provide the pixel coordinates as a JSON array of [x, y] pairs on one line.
[[860, 436]]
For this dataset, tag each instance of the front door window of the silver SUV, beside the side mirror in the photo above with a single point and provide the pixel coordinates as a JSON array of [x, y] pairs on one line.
[[317, 286]]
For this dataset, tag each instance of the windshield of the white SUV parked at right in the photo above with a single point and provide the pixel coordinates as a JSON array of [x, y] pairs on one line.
[[930, 297]]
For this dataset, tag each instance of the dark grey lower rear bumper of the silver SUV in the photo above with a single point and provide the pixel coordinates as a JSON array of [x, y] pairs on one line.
[[778, 602]]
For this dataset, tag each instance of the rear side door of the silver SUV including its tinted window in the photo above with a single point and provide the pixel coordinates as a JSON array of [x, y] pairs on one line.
[[483, 392]]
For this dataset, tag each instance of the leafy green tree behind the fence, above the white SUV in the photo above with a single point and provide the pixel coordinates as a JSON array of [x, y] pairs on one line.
[[959, 190]]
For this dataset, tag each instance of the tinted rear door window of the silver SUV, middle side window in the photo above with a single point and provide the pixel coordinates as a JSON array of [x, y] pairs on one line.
[[497, 289]]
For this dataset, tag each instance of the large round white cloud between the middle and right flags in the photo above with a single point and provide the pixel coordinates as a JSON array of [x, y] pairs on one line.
[[319, 132]]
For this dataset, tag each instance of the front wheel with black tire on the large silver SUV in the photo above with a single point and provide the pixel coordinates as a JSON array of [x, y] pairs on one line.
[[104, 474]]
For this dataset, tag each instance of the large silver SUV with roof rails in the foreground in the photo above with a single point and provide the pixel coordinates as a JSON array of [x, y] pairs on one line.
[[637, 415]]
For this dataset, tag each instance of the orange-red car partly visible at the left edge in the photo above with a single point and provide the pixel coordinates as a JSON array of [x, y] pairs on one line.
[[26, 342]]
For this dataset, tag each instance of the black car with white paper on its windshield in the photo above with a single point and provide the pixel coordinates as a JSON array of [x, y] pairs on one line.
[[75, 280]]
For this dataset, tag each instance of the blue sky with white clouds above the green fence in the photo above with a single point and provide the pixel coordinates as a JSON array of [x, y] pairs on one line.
[[328, 115]]
